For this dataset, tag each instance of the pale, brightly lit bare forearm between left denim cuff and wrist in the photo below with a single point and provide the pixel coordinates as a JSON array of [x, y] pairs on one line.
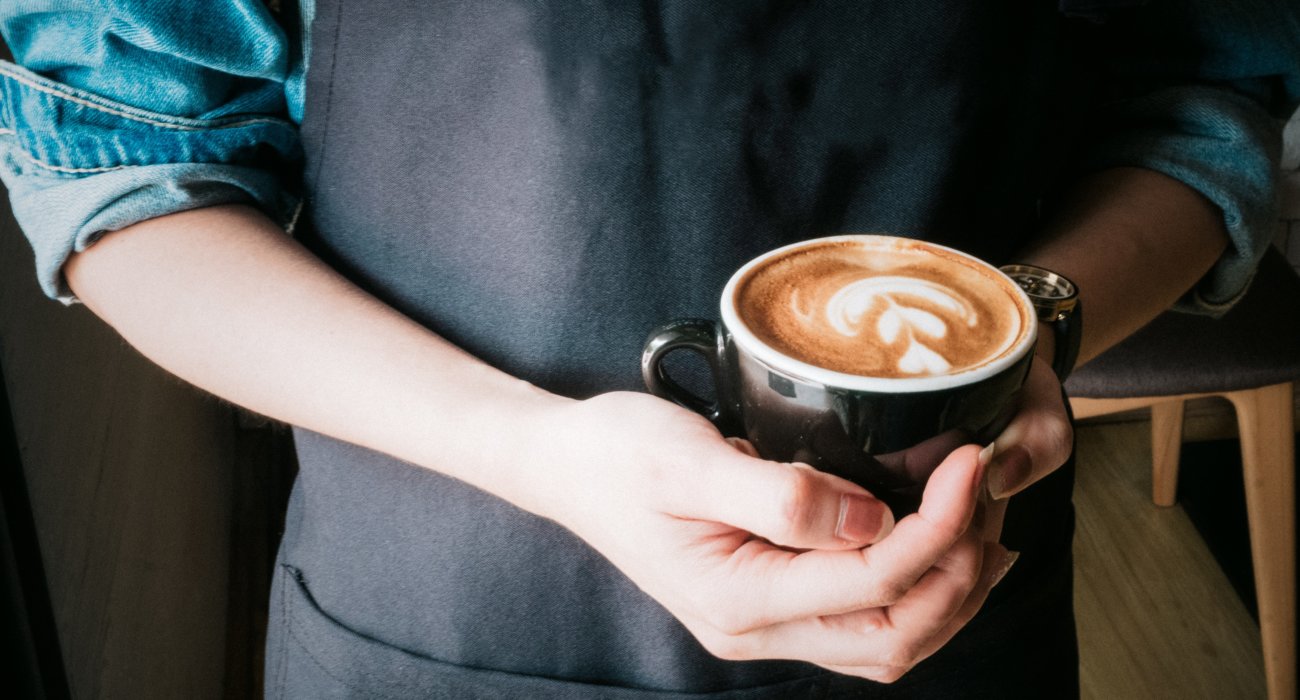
[[224, 300]]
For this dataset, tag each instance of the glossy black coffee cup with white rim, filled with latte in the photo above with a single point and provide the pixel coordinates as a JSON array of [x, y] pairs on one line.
[[868, 357]]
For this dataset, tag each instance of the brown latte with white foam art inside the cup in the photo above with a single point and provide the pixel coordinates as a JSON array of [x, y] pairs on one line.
[[882, 308]]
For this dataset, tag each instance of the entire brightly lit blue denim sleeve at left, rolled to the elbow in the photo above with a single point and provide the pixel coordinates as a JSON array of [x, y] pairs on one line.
[[122, 111]]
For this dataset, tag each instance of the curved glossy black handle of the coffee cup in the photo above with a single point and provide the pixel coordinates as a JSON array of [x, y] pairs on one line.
[[700, 336]]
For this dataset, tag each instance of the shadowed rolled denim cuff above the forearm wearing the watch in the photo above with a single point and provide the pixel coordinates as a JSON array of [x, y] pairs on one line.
[[1217, 142]]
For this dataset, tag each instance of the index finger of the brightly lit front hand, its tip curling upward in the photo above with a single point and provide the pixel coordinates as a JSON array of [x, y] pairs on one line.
[[785, 586]]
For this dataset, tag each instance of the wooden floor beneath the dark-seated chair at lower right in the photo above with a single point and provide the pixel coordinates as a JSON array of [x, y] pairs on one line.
[[1158, 617]]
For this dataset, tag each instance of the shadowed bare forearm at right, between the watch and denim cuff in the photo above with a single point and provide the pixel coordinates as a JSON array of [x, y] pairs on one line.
[[1134, 241]]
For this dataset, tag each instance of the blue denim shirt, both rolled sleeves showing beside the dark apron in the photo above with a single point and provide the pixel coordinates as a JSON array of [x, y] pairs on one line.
[[120, 111]]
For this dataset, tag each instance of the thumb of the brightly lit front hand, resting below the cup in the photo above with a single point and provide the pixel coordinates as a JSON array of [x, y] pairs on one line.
[[791, 505]]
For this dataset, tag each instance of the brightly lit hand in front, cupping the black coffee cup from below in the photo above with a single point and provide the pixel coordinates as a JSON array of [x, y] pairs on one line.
[[762, 560]]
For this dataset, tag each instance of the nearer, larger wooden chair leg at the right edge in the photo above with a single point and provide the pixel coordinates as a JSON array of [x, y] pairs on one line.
[[1267, 424]]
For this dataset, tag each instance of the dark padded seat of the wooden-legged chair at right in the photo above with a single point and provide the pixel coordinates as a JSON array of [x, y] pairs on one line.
[[1188, 355]]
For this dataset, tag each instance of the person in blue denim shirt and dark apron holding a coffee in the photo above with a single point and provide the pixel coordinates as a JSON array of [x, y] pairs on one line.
[[492, 205]]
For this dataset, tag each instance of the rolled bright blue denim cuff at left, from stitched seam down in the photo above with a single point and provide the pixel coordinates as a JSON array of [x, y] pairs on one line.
[[79, 166]]
